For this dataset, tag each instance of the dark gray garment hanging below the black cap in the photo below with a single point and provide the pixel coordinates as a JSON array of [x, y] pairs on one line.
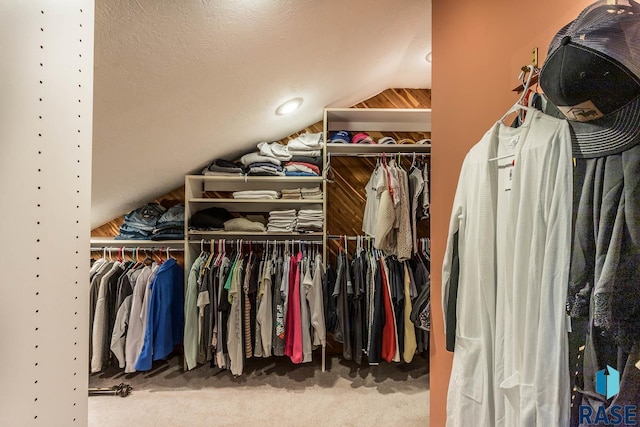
[[604, 281]]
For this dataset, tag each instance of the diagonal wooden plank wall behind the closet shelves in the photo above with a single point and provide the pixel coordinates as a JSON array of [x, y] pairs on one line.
[[345, 205]]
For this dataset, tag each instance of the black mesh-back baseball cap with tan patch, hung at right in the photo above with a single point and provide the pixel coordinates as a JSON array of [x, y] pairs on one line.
[[592, 75]]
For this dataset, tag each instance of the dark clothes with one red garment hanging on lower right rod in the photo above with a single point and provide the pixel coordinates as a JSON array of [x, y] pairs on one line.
[[373, 322]]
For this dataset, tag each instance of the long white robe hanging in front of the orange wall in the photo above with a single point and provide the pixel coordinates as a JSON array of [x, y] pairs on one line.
[[510, 365]]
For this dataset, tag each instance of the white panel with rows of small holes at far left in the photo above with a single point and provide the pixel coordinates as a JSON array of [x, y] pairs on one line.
[[46, 98]]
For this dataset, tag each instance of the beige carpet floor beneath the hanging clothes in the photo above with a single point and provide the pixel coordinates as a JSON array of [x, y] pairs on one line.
[[271, 392]]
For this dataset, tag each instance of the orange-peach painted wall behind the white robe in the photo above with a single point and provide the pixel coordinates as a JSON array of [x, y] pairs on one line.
[[478, 49]]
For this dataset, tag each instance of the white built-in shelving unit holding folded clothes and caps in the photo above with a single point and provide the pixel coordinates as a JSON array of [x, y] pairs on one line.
[[203, 191]]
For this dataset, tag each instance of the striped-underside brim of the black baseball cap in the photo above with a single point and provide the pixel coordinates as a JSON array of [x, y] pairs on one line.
[[611, 134]]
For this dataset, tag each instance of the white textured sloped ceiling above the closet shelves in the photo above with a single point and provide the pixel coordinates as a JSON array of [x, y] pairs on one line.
[[181, 82]]
